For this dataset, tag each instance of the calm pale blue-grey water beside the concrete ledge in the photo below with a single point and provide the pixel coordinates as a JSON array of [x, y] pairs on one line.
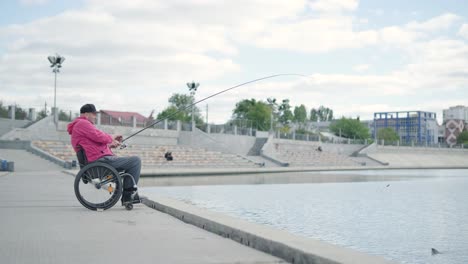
[[402, 220]]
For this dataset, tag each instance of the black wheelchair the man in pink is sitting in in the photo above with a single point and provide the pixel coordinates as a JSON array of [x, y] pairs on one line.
[[99, 186]]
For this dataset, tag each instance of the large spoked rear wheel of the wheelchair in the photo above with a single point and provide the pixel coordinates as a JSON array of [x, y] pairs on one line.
[[98, 186]]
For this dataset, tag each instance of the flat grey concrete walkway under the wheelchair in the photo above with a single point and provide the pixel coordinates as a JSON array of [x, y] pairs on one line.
[[42, 222]]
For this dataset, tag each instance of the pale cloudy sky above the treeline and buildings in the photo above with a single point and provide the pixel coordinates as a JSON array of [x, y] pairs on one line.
[[357, 57]]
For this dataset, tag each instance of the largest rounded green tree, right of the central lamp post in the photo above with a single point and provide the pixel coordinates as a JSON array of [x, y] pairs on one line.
[[258, 112]]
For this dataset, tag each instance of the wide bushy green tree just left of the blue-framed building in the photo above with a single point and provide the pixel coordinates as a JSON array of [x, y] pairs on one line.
[[350, 128]]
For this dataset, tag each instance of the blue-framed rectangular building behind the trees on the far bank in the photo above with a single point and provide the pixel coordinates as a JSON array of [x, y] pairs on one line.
[[416, 127]]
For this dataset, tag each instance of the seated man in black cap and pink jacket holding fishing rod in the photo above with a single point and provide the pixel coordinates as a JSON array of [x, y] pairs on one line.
[[97, 146]]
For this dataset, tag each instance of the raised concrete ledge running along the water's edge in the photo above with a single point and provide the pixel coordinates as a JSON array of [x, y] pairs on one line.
[[293, 249]]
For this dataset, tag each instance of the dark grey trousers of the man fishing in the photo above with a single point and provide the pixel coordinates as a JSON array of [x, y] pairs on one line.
[[131, 165]]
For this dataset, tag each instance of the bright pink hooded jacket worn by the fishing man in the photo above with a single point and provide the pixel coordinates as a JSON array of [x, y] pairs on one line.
[[94, 142]]
